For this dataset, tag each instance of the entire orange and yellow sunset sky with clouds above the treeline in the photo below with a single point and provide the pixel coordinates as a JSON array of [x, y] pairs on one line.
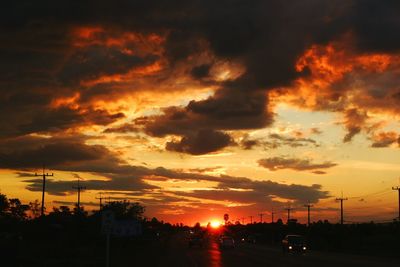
[[199, 108]]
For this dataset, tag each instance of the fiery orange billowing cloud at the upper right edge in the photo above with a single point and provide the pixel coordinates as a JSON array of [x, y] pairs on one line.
[[342, 80]]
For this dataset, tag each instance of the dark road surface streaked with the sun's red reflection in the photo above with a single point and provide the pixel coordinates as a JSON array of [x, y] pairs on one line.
[[178, 254]]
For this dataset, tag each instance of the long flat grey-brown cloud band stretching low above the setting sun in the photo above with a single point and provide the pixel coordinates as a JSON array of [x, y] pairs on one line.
[[68, 154]]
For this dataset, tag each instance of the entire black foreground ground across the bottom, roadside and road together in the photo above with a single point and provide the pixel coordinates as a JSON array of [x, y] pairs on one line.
[[174, 251]]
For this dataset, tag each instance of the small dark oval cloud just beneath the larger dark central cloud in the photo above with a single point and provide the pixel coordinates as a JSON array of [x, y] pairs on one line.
[[202, 142]]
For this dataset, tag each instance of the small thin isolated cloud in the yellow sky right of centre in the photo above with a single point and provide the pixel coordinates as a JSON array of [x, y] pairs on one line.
[[279, 163]]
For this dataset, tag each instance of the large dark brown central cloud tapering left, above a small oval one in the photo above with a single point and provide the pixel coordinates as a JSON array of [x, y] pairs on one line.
[[224, 111]]
